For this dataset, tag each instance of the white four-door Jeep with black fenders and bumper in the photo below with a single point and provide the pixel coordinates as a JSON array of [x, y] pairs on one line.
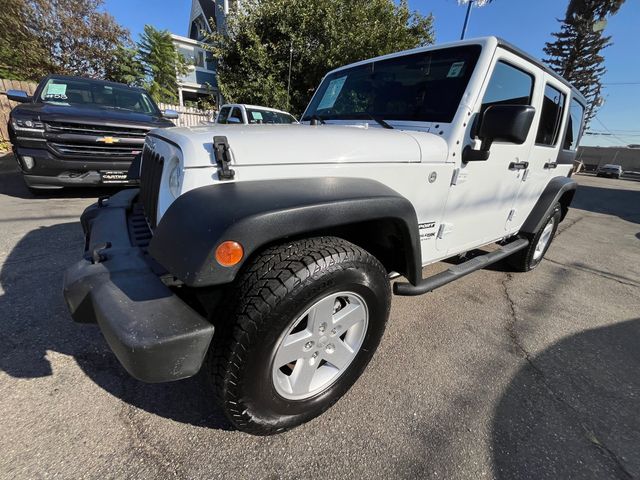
[[283, 238]]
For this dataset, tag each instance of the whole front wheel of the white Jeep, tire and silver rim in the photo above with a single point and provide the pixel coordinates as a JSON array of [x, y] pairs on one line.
[[304, 319]]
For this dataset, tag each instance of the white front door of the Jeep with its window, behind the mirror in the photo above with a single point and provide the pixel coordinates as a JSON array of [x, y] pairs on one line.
[[481, 200]]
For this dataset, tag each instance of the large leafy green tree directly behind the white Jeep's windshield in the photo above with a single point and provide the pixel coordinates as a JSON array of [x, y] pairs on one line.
[[264, 37]]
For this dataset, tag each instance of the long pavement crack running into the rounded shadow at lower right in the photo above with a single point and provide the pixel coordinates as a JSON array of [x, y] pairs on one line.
[[521, 351]]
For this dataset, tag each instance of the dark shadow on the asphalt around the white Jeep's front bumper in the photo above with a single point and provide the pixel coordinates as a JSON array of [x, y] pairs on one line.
[[35, 321]]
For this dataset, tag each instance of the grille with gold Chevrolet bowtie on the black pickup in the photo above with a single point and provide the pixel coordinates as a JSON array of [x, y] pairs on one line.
[[82, 141]]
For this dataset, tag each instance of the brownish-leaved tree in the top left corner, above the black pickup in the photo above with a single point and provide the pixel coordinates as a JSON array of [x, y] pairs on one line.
[[57, 36]]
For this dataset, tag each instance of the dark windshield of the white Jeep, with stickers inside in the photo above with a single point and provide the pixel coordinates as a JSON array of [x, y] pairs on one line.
[[424, 86]]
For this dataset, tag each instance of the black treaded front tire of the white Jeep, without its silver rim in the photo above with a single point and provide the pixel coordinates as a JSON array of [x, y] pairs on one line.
[[274, 289]]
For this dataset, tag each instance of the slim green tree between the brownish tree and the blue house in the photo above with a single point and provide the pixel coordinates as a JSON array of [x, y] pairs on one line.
[[162, 63]]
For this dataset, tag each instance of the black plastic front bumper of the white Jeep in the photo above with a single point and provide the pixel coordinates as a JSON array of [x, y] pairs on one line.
[[155, 335]]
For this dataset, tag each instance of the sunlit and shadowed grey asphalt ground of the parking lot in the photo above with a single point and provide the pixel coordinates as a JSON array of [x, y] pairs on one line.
[[498, 375]]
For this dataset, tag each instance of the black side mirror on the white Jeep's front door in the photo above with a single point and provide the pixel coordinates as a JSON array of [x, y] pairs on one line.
[[502, 123]]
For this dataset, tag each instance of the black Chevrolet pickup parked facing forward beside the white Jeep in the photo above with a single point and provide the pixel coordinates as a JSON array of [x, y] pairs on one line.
[[77, 131]]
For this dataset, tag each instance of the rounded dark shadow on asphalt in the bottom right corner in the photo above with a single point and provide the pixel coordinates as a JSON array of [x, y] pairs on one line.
[[572, 412]]
